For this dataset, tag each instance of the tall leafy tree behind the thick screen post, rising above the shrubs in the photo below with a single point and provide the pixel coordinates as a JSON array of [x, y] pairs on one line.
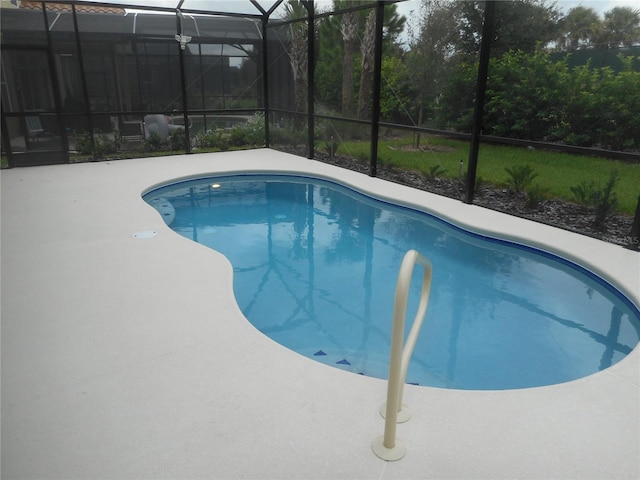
[[447, 44]]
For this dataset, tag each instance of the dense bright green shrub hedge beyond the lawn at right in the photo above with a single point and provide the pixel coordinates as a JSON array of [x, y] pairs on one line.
[[535, 97]]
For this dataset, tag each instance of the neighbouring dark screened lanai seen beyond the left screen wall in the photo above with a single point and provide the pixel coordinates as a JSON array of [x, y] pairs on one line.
[[86, 78]]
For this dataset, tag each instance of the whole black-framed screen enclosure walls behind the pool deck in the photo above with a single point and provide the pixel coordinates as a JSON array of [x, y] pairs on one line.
[[459, 95]]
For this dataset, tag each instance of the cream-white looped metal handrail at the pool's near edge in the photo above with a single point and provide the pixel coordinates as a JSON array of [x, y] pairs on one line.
[[387, 446]]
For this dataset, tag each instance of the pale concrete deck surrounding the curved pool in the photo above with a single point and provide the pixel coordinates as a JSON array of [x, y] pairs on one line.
[[129, 358]]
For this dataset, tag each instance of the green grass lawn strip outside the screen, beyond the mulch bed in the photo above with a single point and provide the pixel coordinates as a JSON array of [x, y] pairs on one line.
[[557, 172]]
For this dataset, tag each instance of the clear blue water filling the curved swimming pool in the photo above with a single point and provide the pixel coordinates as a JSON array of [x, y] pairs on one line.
[[315, 268]]
